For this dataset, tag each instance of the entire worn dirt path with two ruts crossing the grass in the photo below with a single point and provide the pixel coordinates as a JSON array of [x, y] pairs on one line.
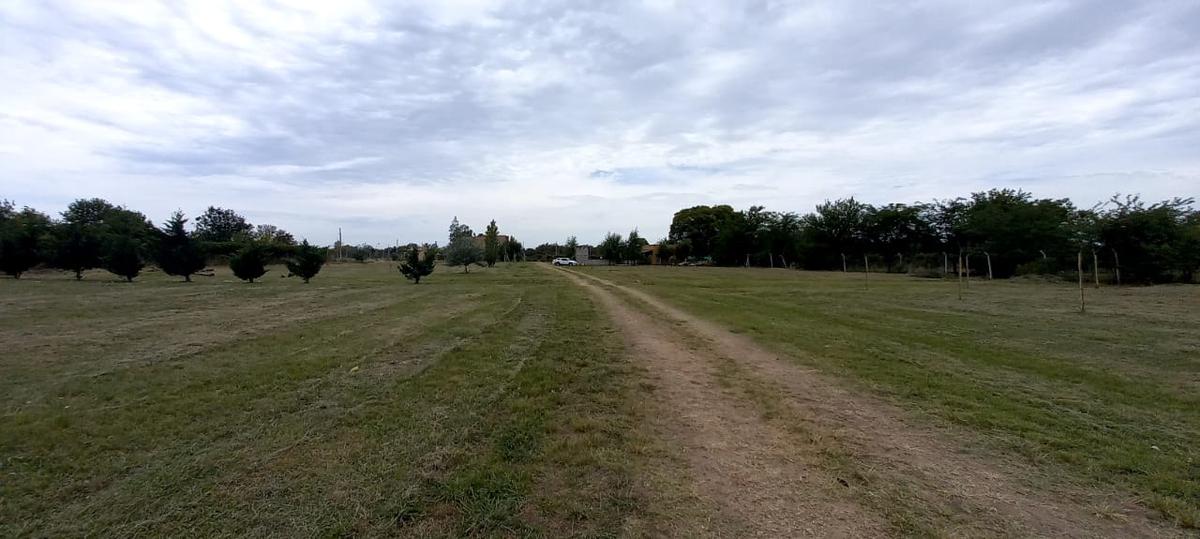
[[776, 450]]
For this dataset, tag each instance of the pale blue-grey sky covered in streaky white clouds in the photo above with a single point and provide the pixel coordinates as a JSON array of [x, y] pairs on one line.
[[580, 118]]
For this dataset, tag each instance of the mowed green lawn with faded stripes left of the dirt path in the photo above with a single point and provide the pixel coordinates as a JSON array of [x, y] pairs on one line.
[[356, 405]]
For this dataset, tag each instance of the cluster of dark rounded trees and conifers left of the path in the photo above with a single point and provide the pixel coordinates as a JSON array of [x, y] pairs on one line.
[[97, 235]]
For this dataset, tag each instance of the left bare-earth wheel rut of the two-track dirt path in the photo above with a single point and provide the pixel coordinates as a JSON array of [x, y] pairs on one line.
[[743, 470]]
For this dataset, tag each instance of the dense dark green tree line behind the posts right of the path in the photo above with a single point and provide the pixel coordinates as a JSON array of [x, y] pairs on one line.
[[998, 233]]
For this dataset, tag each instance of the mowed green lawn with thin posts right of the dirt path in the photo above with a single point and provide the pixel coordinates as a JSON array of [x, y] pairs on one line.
[[1109, 398]]
